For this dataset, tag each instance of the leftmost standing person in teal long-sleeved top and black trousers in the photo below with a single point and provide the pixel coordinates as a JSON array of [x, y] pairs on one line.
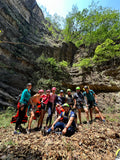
[[23, 105]]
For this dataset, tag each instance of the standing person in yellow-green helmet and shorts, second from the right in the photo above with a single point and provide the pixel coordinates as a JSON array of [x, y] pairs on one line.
[[79, 104]]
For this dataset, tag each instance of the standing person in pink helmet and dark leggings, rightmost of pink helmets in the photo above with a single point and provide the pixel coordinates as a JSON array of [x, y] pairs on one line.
[[51, 106]]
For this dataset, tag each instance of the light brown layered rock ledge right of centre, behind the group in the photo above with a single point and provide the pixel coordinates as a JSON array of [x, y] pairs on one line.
[[105, 77]]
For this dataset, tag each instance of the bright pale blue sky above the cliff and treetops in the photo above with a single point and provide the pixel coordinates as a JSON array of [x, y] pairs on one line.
[[63, 7]]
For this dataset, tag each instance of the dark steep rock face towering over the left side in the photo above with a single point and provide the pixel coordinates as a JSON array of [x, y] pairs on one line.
[[23, 38]]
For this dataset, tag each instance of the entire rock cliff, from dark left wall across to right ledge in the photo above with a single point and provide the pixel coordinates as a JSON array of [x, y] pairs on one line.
[[24, 37]]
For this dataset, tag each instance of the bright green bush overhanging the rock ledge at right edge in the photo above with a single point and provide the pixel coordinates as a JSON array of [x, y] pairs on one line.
[[104, 52]]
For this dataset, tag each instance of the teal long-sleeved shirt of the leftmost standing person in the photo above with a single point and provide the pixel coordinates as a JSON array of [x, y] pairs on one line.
[[25, 96]]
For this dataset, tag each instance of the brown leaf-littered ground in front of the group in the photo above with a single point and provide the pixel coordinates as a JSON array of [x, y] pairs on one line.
[[97, 141]]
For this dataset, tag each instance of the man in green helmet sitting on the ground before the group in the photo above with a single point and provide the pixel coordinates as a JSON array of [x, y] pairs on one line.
[[65, 122]]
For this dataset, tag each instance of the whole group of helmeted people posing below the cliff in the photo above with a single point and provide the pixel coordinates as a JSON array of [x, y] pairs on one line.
[[62, 106]]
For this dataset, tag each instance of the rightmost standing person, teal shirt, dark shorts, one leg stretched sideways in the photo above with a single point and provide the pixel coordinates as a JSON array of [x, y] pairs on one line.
[[91, 101]]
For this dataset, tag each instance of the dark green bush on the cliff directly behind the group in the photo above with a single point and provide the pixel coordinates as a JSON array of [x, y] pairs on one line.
[[51, 73]]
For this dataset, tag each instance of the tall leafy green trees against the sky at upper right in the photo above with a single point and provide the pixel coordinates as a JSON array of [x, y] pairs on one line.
[[92, 26]]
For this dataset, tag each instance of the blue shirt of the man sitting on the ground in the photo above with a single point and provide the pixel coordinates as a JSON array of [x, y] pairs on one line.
[[66, 117]]
